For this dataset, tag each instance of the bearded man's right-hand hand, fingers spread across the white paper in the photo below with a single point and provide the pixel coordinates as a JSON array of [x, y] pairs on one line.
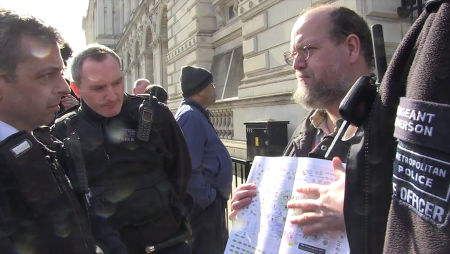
[[322, 207]]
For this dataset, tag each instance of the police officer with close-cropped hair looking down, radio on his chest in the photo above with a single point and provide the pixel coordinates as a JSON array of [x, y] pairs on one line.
[[136, 158]]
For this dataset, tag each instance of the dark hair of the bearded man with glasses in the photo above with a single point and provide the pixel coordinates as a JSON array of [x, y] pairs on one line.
[[345, 22]]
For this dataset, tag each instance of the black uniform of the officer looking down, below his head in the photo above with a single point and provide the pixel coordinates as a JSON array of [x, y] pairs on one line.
[[140, 186]]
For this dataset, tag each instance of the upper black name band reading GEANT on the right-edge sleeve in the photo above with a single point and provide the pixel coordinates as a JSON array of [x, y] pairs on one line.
[[423, 123]]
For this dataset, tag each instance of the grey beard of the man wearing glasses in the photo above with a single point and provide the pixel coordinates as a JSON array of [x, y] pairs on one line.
[[320, 95]]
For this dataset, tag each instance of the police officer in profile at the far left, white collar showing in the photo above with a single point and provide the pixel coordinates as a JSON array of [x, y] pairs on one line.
[[39, 212]]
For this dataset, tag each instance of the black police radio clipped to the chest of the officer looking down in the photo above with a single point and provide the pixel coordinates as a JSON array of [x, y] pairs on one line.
[[145, 119]]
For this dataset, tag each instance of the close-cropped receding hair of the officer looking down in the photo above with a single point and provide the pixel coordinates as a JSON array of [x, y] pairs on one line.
[[95, 51]]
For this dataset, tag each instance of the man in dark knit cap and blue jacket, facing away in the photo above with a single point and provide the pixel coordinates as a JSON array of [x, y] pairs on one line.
[[210, 182]]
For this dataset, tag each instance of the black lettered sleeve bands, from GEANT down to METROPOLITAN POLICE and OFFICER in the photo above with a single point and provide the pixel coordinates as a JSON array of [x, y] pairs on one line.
[[422, 160]]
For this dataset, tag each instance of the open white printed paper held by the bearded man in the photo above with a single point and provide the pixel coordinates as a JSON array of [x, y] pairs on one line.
[[261, 227]]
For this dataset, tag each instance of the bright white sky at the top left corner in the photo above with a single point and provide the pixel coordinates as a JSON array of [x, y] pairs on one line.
[[65, 15]]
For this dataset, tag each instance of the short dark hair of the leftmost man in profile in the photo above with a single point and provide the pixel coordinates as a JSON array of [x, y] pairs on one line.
[[12, 28]]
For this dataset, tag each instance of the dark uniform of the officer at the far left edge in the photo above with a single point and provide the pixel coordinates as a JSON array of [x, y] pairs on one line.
[[39, 212]]
